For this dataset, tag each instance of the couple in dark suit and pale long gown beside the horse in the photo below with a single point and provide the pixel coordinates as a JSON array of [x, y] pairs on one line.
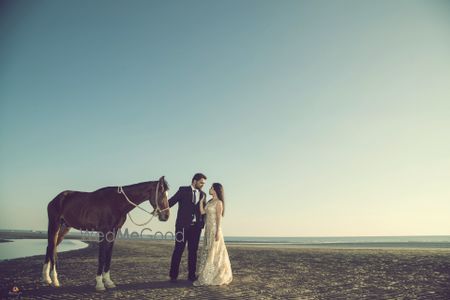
[[194, 213]]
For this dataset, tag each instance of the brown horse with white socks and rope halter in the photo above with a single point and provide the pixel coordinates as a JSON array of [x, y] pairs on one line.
[[103, 211]]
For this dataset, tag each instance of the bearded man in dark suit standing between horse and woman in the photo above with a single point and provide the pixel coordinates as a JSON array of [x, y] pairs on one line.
[[188, 226]]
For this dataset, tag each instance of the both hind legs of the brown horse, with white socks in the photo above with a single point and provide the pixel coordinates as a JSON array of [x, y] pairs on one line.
[[50, 256]]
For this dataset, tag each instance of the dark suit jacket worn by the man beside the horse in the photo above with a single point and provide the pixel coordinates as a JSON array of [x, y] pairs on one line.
[[186, 207]]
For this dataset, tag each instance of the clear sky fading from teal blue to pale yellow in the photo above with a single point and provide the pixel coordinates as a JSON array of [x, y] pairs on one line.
[[320, 118]]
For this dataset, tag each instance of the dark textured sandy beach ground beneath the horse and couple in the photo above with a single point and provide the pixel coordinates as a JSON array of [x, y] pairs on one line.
[[140, 270]]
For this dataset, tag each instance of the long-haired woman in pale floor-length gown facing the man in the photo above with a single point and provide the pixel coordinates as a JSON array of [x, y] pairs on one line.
[[215, 267]]
